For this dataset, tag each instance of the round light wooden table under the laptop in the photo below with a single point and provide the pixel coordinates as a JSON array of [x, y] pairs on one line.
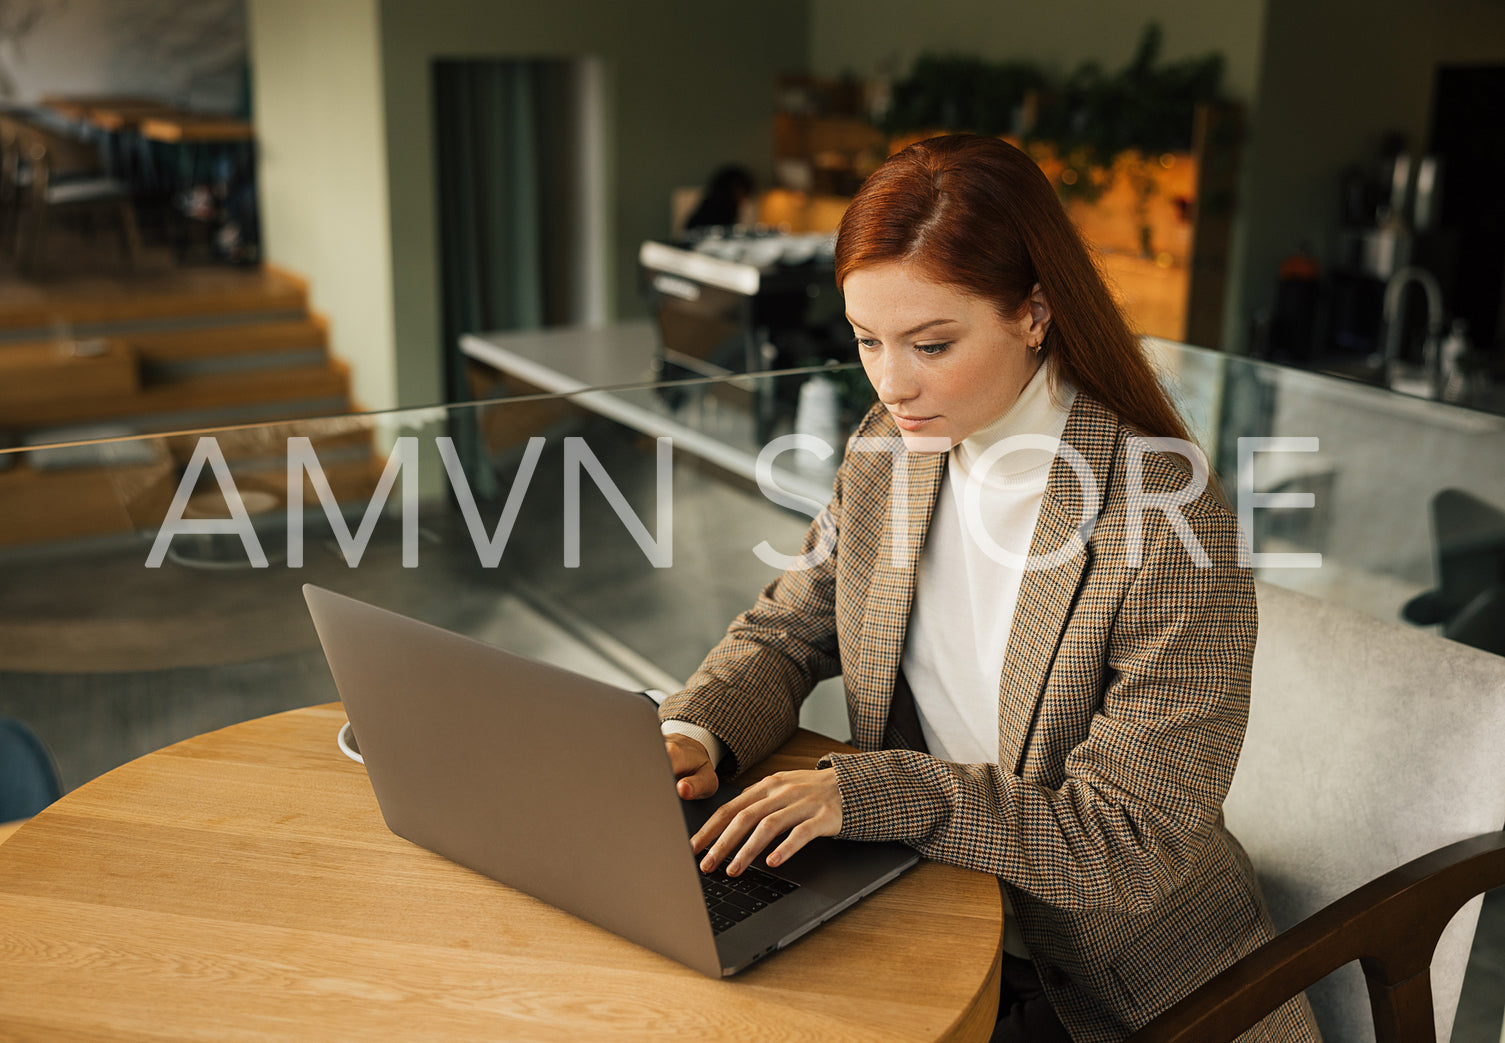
[[243, 886]]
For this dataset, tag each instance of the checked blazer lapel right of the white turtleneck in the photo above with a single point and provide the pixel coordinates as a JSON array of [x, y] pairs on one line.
[[1060, 552]]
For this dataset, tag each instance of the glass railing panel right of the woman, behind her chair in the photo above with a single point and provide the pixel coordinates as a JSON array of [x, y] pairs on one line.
[[1397, 484]]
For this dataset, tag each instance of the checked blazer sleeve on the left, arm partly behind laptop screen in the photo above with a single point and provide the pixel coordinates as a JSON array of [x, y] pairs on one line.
[[752, 684]]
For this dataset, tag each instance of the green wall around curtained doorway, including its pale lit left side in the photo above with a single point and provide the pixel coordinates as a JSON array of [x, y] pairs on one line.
[[344, 109]]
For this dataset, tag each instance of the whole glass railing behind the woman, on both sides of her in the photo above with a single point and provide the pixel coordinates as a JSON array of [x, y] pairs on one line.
[[151, 586]]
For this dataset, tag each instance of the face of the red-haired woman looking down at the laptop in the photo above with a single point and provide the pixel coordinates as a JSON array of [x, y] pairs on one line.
[[944, 363]]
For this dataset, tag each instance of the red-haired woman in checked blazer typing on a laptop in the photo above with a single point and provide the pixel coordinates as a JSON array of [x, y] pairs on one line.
[[1042, 625]]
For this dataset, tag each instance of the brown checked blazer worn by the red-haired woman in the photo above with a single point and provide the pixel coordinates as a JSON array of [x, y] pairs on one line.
[[1122, 710]]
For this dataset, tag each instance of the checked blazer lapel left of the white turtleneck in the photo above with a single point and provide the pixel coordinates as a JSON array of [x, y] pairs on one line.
[[892, 591]]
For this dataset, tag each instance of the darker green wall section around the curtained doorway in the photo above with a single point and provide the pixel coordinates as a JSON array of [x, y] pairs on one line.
[[687, 87]]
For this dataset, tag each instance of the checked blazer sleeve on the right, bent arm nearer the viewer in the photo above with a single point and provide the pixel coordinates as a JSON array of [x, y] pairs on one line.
[[1143, 792]]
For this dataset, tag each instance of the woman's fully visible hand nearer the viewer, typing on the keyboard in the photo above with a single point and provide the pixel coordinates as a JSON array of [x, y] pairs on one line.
[[807, 804]]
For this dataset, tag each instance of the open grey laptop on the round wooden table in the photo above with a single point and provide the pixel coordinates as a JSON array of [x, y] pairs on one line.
[[559, 786]]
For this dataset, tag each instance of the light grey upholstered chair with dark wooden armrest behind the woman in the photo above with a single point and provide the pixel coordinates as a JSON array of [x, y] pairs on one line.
[[1370, 747]]
